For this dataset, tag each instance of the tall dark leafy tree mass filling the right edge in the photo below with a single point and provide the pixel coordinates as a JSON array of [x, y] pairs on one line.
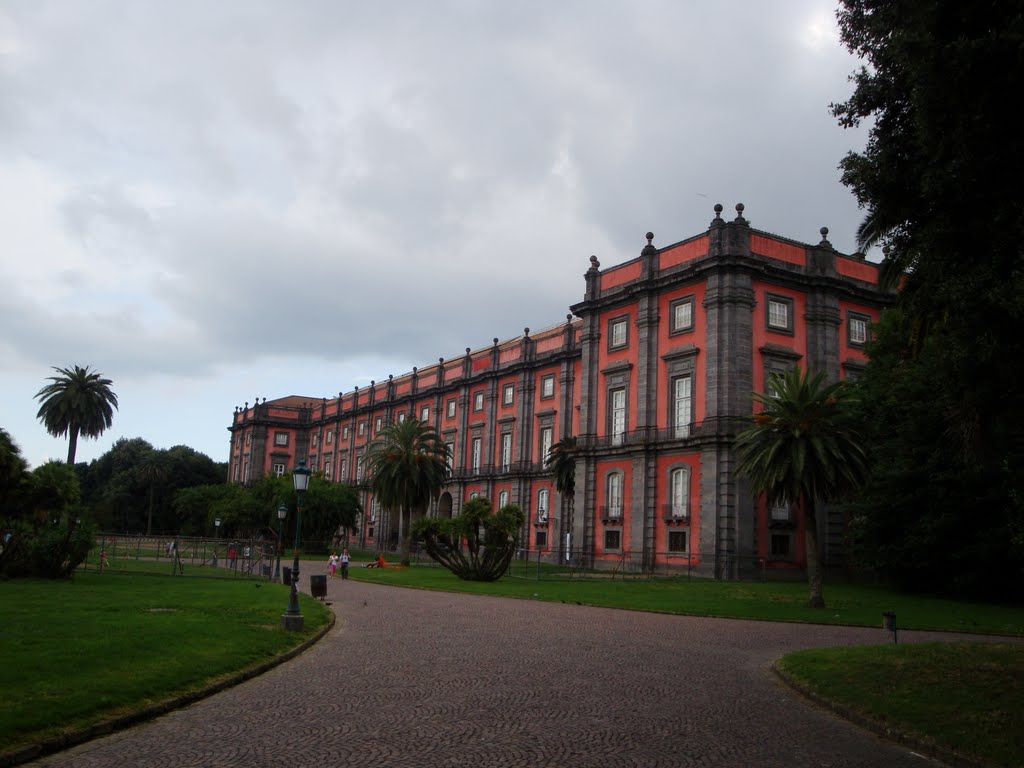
[[940, 182]]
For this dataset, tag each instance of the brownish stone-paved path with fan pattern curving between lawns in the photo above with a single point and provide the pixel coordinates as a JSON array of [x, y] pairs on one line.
[[410, 678]]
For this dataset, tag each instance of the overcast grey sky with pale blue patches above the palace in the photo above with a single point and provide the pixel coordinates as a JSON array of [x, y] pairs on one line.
[[210, 203]]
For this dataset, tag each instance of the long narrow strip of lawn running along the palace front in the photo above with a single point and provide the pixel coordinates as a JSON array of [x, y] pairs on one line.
[[848, 605]]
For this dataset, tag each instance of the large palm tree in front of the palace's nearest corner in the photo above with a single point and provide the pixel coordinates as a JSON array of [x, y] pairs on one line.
[[801, 449]]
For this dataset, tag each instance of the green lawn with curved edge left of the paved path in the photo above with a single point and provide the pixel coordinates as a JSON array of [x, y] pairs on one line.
[[78, 652]]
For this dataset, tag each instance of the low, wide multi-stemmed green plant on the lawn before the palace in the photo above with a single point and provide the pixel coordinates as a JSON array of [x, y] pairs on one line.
[[476, 545]]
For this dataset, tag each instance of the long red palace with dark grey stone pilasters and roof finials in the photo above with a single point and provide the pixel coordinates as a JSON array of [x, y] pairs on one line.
[[653, 372]]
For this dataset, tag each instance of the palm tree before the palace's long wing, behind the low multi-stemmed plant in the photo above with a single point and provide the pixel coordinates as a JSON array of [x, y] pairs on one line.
[[408, 465]]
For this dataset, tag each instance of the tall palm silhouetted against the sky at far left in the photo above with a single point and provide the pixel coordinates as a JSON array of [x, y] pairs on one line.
[[78, 402]]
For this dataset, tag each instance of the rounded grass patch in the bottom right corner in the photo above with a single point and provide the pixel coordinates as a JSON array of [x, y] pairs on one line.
[[968, 698]]
